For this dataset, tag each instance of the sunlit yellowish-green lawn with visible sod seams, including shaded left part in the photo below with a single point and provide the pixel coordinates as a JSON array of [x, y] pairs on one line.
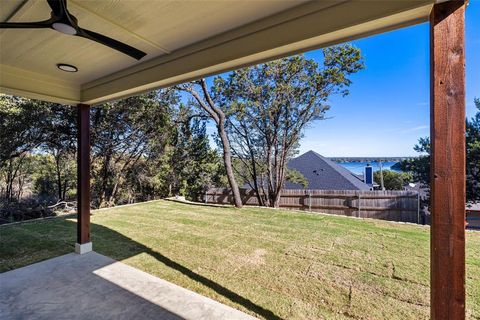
[[268, 263]]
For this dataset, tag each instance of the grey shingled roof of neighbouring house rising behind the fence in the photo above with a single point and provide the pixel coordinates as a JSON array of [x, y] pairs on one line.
[[324, 174]]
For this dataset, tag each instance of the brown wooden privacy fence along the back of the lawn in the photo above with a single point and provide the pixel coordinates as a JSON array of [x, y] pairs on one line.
[[386, 205]]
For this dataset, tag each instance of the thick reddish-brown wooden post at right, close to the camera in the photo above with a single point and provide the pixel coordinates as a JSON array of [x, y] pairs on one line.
[[447, 50]]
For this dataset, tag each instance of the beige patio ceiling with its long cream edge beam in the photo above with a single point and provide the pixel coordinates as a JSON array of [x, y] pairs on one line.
[[183, 40]]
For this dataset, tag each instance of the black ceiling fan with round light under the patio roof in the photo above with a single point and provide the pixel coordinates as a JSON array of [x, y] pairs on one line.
[[62, 21]]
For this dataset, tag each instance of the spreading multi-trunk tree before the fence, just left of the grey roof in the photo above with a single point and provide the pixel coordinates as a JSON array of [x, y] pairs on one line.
[[268, 106]]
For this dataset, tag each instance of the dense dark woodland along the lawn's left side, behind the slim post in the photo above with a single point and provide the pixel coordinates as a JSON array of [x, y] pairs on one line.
[[143, 147]]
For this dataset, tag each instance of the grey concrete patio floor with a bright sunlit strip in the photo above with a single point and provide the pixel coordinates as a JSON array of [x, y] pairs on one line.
[[93, 286]]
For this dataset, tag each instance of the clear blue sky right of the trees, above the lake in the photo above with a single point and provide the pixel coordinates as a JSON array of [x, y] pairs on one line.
[[388, 106]]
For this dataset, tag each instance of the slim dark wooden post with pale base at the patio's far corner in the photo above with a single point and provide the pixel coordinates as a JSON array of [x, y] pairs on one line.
[[83, 179]]
